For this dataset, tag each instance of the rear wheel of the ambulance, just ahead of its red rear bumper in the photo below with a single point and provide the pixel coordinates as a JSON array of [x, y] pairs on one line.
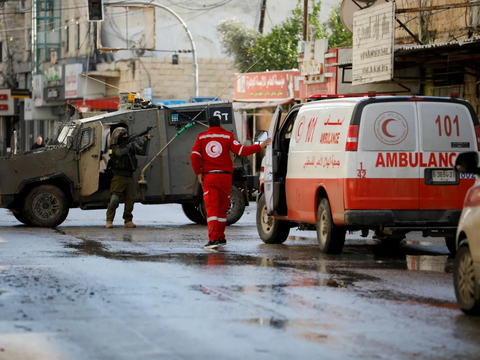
[[331, 238]]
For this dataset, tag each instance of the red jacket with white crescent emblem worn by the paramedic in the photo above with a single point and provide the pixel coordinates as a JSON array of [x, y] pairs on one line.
[[212, 150]]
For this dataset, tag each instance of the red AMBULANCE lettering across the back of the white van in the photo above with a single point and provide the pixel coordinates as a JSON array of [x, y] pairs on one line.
[[415, 159]]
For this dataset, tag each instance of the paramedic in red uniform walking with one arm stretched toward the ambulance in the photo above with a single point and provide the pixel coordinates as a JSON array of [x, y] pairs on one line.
[[212, 163]]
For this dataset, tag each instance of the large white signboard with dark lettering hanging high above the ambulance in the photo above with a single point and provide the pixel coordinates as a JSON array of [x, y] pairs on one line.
[[373, 39]]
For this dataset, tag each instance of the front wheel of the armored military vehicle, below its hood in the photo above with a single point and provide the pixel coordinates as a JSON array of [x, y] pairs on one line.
[[46, 206]]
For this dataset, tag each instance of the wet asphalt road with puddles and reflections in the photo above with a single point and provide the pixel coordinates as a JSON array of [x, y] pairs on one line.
[[85, 292]]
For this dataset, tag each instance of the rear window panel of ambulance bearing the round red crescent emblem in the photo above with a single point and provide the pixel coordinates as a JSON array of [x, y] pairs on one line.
[[389, 126]]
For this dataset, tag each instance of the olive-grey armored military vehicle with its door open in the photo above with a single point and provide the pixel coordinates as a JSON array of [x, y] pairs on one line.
[[40, 186]]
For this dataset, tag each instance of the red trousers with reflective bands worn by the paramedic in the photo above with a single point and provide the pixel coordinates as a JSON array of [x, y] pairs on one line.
[[216, 193]]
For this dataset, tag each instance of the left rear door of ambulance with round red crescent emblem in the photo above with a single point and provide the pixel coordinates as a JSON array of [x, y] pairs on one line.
[[386, 169]]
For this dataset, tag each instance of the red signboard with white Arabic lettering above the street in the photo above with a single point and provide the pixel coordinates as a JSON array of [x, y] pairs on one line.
[[266, 86]]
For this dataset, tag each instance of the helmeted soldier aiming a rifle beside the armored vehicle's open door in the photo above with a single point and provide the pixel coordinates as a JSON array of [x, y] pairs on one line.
[[123, 161]]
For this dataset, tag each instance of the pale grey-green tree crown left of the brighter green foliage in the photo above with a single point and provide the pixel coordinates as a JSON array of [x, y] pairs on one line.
[[237, 41]]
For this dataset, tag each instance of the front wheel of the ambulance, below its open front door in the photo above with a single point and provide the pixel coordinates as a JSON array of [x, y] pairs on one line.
[[271, 230]]
